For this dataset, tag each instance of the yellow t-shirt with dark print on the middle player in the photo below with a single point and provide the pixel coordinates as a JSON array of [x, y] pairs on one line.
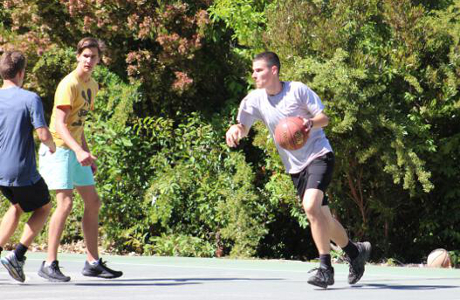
[[79, 96]]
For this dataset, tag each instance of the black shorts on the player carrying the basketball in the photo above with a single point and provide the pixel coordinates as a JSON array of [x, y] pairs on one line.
[[317, 175]]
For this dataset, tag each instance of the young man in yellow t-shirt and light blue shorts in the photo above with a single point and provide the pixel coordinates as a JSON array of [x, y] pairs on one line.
[[73, 165]]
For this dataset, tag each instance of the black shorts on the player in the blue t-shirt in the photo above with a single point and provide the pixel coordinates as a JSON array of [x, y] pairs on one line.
[[28, 197]]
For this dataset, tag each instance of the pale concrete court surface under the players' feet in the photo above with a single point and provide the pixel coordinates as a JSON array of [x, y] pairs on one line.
[[200, 278]]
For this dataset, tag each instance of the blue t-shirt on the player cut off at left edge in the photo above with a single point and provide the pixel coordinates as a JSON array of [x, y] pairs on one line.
[[21, 112]]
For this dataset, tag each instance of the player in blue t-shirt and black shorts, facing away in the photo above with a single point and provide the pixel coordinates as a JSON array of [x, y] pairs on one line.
[[21, 112]]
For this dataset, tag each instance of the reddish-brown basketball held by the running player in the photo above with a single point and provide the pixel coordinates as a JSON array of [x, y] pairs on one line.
[[290, 133]]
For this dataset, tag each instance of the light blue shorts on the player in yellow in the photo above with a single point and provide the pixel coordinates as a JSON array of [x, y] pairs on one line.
[[61, 170]]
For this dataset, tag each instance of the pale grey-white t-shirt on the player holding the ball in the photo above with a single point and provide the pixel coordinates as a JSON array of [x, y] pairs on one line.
[[295, 99]]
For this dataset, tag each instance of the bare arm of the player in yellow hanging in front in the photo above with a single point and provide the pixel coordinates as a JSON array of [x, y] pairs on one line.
[[83, 156]]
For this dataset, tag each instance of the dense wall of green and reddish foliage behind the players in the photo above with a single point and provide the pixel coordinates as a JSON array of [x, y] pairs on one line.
[[174, 72]]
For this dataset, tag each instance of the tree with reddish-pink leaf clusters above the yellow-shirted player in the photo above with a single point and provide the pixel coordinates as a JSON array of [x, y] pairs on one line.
[[180, 57]]
